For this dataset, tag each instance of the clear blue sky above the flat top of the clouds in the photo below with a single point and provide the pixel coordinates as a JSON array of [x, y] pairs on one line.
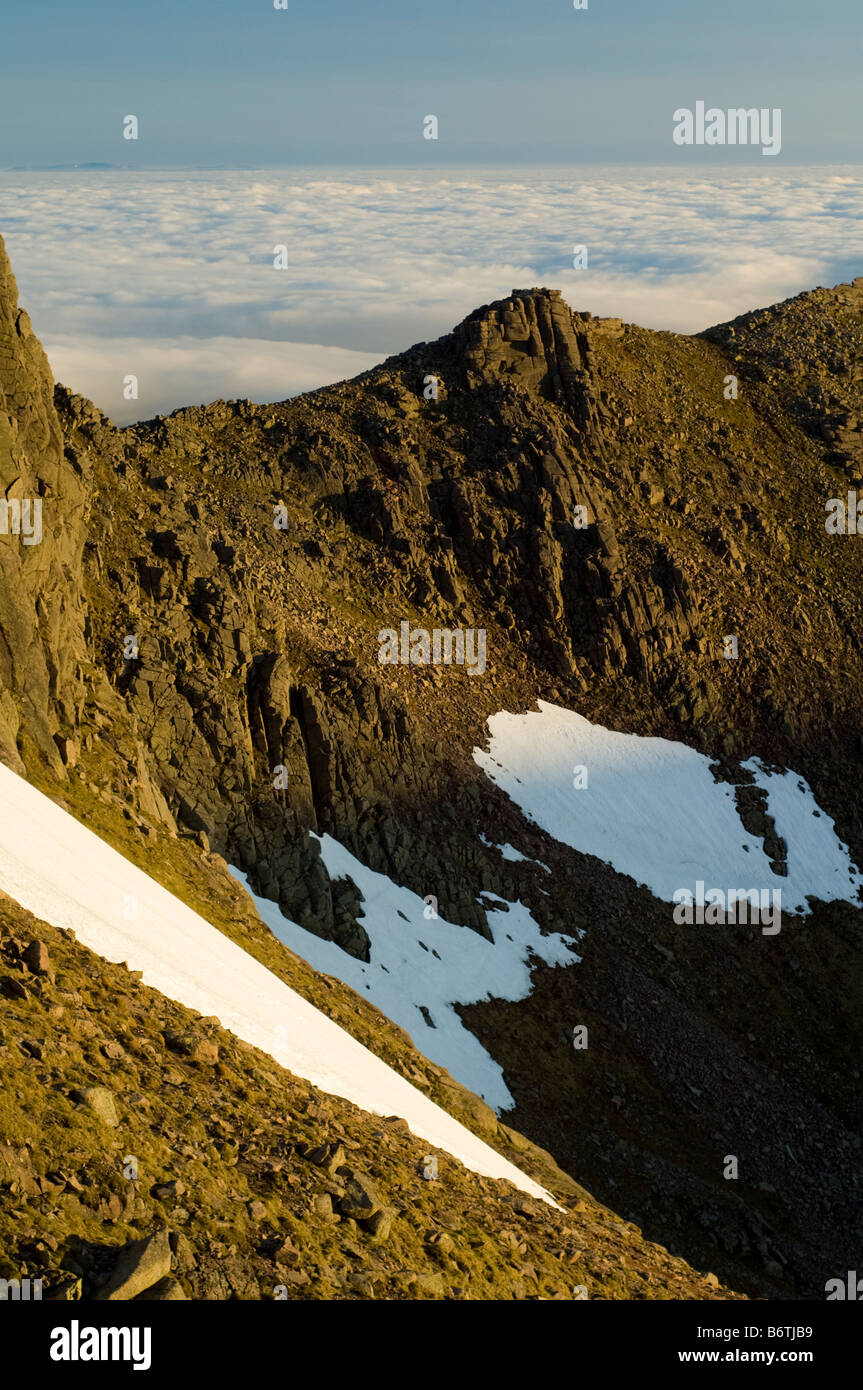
[[236, 83]]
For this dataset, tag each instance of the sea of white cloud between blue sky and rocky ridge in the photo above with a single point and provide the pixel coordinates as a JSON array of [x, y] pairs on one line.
[[170, 276]]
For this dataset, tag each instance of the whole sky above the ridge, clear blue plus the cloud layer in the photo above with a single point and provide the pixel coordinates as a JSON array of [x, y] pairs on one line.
[[305, 129]]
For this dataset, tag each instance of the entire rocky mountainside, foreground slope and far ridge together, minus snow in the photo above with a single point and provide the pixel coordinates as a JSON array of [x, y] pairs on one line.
[[192, 665]]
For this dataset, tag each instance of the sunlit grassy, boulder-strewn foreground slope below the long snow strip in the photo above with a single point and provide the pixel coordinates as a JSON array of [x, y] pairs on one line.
[[147, 1153]]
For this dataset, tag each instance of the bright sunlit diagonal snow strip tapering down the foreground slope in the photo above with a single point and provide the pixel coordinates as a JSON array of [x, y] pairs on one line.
[[67, 876]]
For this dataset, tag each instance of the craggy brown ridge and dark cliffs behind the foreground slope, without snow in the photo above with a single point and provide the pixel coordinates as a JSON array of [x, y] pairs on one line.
[[609, 505]]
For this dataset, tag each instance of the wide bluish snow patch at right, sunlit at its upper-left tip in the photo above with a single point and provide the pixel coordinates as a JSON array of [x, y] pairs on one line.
[[654, 811]]
